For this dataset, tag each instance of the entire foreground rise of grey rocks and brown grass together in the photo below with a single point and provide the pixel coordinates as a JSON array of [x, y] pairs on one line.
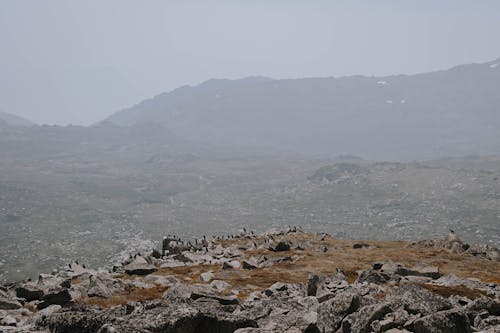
[[277, 281]]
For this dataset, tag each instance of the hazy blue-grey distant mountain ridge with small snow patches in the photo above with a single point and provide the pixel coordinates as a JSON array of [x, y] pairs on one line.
[[443, 113]]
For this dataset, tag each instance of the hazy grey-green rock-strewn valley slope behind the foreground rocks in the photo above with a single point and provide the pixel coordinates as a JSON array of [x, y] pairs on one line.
[[74, 192]]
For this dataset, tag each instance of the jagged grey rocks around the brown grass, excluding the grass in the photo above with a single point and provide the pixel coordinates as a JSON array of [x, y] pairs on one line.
[[388, 297]]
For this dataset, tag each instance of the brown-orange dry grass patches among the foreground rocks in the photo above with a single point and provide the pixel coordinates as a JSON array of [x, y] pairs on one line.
[[340, 255]]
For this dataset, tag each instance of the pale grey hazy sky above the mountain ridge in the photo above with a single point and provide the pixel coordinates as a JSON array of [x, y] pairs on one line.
[[77, 62]]
